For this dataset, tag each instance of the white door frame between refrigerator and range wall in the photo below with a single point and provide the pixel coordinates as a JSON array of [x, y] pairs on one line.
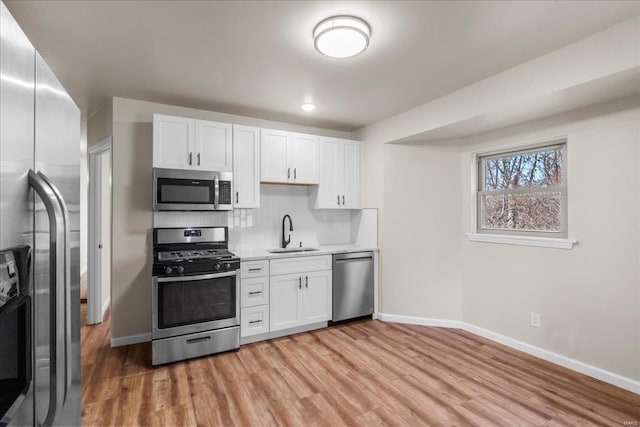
[[95, 311]]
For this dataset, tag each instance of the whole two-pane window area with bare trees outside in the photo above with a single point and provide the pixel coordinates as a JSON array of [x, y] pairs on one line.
[[523, 191]]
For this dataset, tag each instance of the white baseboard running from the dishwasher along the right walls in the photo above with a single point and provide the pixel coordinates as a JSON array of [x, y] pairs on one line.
[[558, 359]]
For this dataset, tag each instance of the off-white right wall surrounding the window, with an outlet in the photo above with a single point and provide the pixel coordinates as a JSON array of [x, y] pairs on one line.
[[588, 296]]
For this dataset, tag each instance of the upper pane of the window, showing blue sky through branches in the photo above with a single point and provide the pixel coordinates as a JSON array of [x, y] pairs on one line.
[[541, 168]]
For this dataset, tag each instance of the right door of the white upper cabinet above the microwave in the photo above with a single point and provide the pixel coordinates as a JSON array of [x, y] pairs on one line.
[[213, 146]]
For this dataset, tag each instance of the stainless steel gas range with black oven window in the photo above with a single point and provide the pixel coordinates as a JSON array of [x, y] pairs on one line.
[[196, 308]]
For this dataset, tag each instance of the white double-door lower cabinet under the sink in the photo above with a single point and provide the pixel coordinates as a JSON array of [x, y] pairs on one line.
[[300, 298]]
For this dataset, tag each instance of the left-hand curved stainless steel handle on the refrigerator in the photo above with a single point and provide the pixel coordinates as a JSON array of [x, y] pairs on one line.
[[56, 285]]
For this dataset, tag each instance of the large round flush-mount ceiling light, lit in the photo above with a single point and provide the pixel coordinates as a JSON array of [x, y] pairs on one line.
[[341, 36]]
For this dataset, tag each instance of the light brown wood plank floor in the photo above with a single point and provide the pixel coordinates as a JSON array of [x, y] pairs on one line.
[[366, 373]]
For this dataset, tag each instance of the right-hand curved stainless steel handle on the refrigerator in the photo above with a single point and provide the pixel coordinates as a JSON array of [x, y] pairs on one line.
[[67, 279]]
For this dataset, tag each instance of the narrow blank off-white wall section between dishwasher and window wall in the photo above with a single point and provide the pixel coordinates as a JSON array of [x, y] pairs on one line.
[[422, 232]]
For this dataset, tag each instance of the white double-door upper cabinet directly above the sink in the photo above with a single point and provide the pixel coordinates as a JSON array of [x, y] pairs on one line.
[[289, 158]]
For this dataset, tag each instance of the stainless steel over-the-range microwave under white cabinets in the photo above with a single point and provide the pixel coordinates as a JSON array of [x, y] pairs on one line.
[[191, 190]]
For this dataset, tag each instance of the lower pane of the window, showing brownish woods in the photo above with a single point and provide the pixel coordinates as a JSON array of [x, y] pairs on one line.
[[530, 212]]
